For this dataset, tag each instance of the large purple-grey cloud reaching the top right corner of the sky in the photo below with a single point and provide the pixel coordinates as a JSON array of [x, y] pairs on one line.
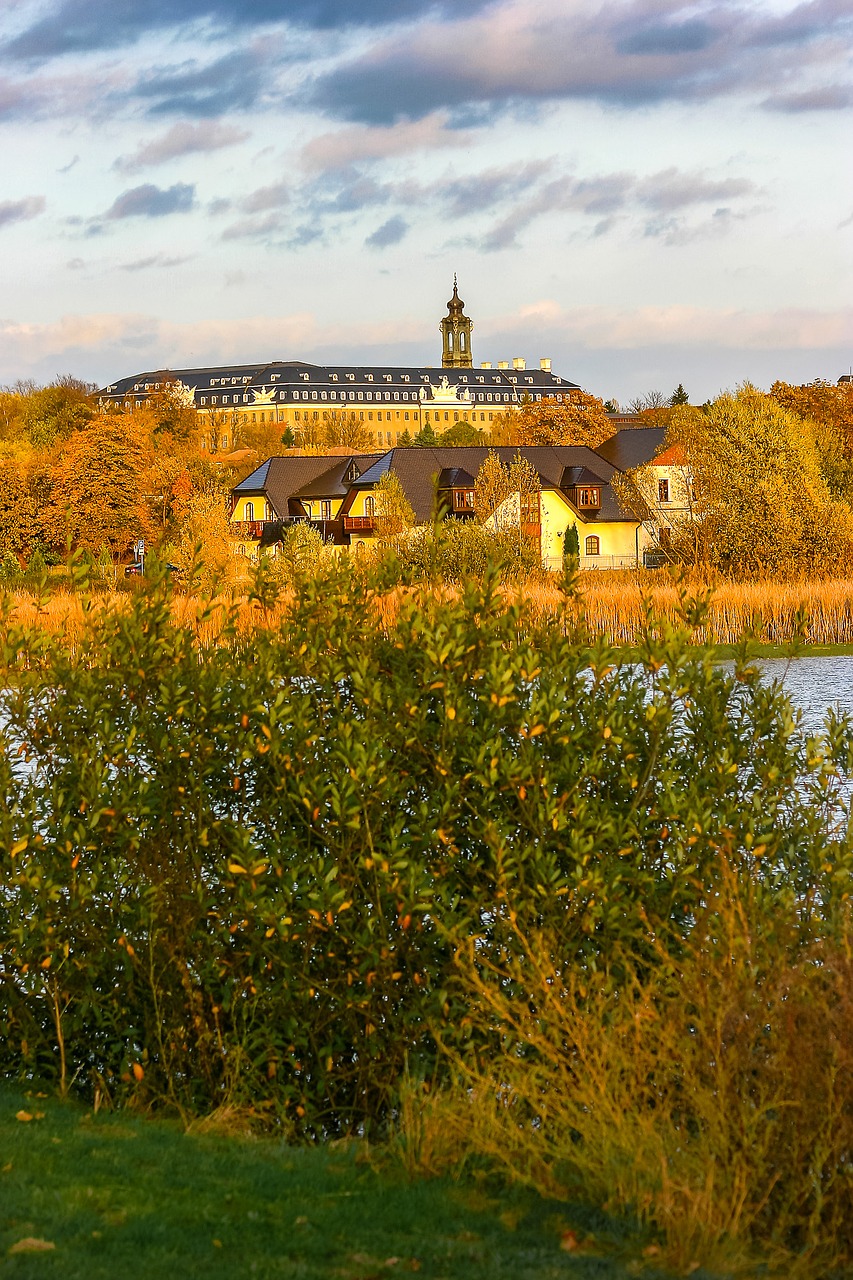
[[628, 54]]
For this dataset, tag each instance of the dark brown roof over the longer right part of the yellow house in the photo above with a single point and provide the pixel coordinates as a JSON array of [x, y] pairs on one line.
[[417, 469]]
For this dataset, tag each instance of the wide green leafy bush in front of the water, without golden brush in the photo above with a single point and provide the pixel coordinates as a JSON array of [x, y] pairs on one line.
[[244, 872]]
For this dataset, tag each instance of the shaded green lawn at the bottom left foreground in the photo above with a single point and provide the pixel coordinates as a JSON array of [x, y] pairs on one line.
[[126, 1196]]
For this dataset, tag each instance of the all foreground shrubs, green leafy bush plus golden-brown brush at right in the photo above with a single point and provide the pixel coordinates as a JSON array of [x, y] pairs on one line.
[[580, 913]]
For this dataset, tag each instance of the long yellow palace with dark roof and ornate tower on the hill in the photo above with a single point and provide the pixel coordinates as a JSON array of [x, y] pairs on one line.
[[390, 401]]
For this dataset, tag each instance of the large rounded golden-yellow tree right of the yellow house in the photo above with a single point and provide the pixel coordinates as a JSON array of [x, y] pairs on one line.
[[763, 504]]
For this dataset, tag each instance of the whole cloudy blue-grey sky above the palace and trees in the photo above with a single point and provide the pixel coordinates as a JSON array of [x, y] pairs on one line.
[[649, 193]]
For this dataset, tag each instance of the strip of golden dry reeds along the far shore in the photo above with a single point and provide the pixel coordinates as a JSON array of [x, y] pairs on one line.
[[819, 611]]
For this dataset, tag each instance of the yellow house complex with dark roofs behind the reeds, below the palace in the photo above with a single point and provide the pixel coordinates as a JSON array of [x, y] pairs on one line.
[[337, 496]]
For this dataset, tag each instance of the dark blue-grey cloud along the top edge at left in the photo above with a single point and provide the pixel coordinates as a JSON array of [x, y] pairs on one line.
[[83, 26]]
